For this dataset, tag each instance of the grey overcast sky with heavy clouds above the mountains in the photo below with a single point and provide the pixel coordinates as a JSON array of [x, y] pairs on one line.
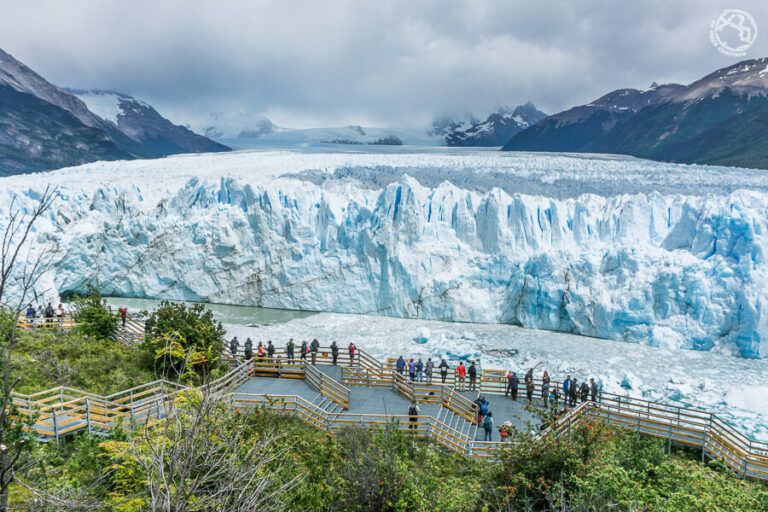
[[376, 62]]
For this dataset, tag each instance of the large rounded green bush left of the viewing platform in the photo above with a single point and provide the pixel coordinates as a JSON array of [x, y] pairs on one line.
[[184, 341]]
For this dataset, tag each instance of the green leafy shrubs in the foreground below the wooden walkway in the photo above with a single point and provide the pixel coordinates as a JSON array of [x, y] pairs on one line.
[[597, 468]]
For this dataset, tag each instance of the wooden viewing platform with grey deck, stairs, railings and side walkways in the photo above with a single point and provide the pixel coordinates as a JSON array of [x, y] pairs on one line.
[[367, 392]]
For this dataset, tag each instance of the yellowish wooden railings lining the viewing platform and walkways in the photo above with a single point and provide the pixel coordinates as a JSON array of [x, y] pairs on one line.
[[60, 411]]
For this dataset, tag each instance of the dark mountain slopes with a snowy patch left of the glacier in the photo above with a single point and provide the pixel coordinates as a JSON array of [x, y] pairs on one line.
[[43, 126]]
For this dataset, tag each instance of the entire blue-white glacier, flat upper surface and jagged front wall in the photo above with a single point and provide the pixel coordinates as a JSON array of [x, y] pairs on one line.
[[549, 242]]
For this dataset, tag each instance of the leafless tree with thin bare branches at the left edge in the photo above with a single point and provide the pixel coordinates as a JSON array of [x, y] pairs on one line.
[[20, 272]]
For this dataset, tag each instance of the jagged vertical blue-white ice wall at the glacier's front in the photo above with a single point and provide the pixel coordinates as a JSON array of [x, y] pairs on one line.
[[666, 270]]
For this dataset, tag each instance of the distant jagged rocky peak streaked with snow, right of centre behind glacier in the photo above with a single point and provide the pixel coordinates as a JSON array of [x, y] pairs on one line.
[[497, 129]]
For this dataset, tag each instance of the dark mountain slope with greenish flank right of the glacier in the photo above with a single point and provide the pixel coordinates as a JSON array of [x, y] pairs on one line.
[[721, 119]]
